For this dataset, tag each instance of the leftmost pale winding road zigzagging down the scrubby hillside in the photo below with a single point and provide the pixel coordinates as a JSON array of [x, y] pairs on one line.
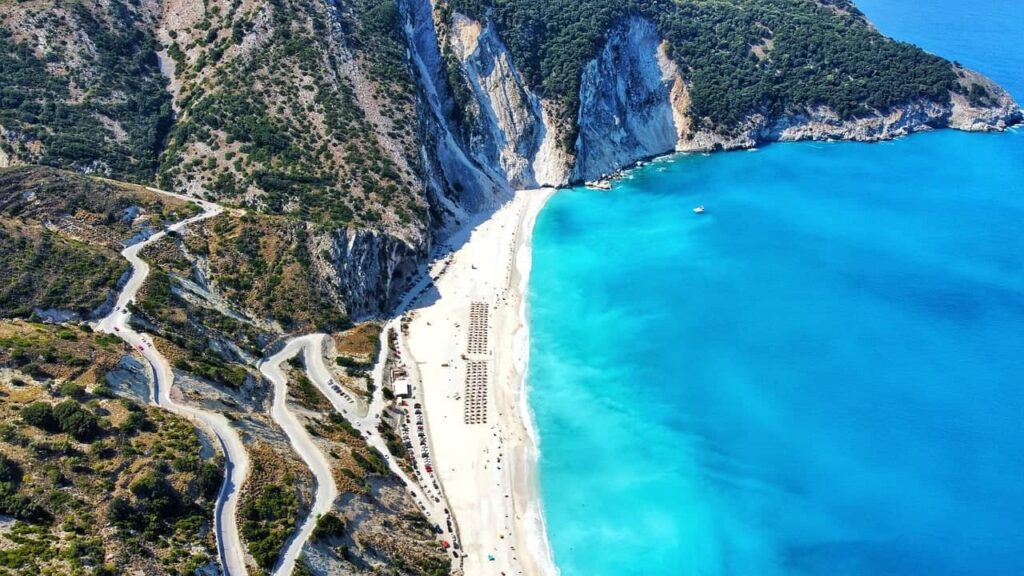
[[230, 549]]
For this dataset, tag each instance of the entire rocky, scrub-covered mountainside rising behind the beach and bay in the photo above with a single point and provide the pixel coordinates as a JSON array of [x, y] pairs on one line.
[[381, 125]]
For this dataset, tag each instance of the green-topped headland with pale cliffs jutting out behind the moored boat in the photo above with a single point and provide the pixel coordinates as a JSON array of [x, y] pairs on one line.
[[611, 88]]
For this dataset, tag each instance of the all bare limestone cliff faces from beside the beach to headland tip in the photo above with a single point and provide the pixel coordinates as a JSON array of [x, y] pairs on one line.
[[635, 104]]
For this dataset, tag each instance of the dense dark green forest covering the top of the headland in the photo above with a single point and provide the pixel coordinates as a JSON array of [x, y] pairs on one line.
[[741, 57]]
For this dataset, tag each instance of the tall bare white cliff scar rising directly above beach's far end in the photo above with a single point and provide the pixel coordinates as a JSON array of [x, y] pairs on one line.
[[477, 151]]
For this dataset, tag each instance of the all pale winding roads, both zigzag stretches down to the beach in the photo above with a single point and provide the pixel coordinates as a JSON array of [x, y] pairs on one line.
[[230, 547]]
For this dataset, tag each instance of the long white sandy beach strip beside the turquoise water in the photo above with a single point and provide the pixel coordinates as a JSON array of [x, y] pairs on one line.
[[487, 471]]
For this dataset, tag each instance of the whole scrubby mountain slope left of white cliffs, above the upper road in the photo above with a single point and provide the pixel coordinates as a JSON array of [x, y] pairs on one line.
[[271, 112]]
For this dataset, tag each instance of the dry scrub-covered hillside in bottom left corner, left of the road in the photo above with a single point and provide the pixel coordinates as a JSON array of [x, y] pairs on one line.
[[97, 485]]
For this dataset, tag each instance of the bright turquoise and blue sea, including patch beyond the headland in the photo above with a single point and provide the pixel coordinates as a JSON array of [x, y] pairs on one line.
[[823, 376]]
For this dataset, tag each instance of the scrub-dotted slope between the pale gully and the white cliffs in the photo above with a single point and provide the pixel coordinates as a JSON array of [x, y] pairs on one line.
[[284, 125]]
